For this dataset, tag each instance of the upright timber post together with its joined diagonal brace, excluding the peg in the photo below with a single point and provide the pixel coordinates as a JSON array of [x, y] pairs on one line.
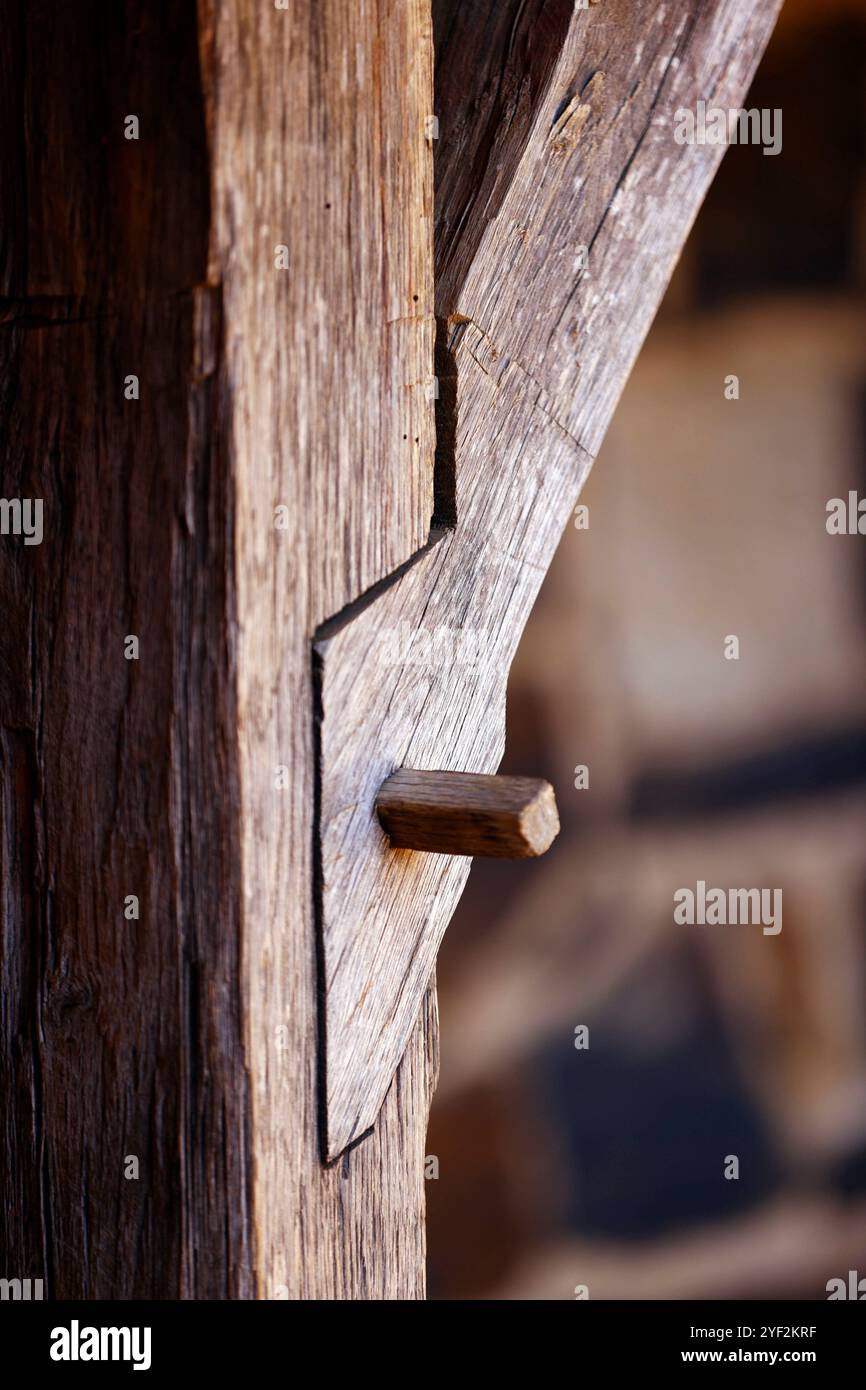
[[218, 337]]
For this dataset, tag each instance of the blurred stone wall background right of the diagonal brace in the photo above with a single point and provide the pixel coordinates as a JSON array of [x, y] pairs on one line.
[[605, 1166]]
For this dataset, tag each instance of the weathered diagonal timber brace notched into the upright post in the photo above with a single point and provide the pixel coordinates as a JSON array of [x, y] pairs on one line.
[[536, 354]]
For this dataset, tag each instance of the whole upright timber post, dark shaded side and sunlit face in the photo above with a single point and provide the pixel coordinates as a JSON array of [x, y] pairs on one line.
[[190, 1038]]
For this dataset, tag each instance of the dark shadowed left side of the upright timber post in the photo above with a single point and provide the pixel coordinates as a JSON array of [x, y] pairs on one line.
[[120, 1038]]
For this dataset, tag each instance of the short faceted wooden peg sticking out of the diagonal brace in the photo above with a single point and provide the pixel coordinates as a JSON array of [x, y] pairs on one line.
[[468, 814]]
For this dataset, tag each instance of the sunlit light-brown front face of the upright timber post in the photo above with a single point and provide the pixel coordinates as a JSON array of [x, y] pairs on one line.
[[318, 126]]
